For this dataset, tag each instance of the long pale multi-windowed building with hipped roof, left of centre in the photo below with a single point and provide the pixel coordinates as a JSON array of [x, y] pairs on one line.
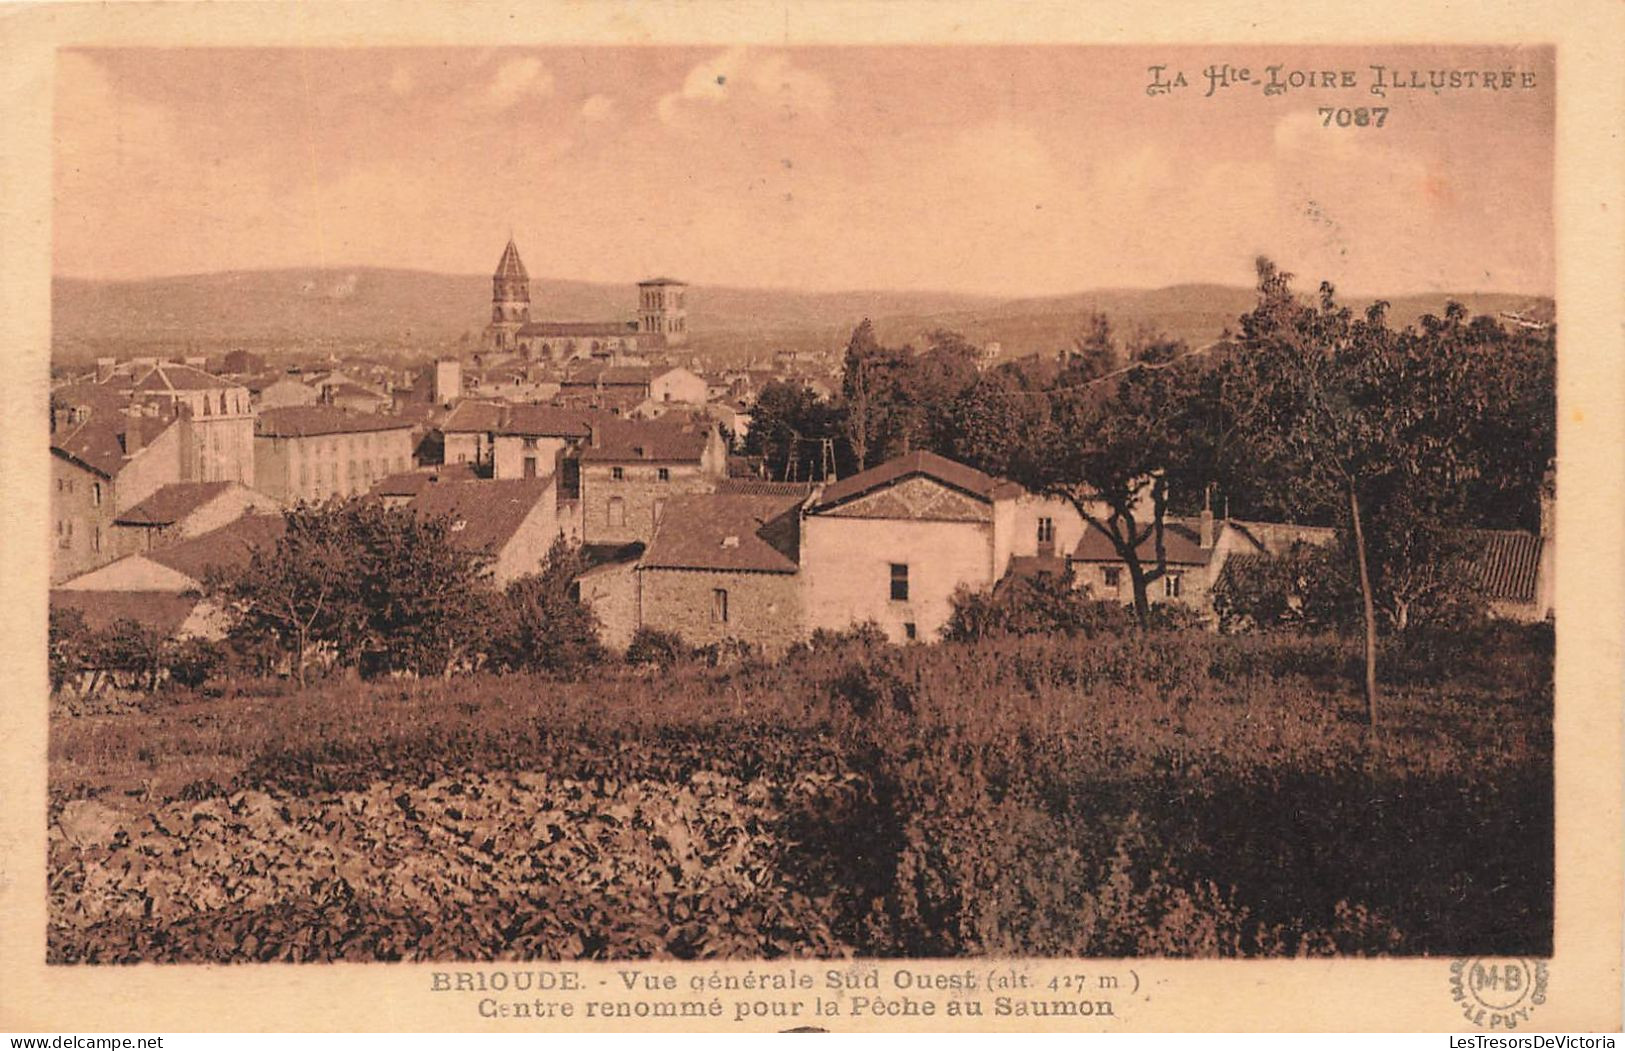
[[319, 452]]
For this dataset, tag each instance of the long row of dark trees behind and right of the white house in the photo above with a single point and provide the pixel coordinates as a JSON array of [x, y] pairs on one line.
[[1309, 413]]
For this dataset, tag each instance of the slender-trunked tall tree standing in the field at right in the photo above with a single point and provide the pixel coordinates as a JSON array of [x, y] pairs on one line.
[[1376, 422]]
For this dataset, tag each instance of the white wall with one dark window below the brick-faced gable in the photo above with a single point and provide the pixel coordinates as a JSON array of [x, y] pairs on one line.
[[847, 568]]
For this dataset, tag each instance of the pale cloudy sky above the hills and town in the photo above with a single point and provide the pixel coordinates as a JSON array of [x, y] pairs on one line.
[[1003, 171]]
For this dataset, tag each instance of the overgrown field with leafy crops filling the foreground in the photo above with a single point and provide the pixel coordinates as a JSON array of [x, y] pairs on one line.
[[1168, 794]]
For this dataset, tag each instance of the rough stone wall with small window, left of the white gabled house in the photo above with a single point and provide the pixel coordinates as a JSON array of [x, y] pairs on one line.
[[765, 610]]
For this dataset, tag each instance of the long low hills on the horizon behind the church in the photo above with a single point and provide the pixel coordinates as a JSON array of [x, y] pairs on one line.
[[418, 309]]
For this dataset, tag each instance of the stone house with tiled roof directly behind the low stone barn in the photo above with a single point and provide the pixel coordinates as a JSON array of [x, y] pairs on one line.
[[631, 469]]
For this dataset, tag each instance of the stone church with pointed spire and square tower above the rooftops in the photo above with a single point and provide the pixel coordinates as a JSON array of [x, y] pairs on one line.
[[662, 321]]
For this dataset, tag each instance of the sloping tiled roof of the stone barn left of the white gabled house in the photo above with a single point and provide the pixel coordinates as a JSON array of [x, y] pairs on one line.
[[727, 532]]
